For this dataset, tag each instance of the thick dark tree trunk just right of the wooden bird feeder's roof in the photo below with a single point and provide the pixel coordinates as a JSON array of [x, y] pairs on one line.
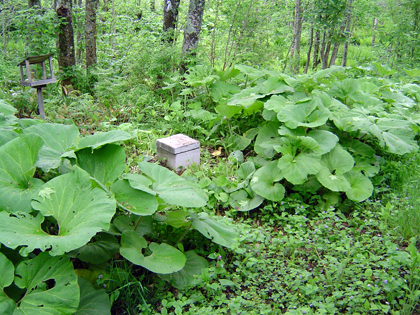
[[66, 58]]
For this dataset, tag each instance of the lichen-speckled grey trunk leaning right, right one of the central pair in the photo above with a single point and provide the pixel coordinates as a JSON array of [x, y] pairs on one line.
[[192, 28]]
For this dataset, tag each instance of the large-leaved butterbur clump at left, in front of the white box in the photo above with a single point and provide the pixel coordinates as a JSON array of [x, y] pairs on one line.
[[89, 210]]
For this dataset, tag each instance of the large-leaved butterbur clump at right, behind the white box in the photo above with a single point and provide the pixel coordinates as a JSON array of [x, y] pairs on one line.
[[324, 134]]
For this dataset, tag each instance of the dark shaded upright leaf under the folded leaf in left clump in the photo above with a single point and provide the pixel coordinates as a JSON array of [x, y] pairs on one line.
[[104, 164]]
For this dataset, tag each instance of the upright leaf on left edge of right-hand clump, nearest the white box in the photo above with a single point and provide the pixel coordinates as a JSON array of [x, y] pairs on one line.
[[267, 138]]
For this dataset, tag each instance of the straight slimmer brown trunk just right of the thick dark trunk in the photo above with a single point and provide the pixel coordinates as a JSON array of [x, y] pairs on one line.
[[90, 32]]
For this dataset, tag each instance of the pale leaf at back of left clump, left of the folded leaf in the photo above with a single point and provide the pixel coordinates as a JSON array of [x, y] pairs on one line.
[[57, 138]]
